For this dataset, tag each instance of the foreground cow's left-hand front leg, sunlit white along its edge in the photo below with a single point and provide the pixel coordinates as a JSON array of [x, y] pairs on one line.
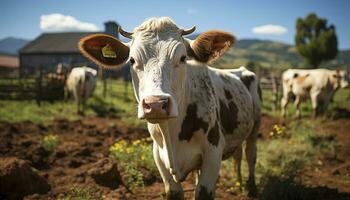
[[173, 190]]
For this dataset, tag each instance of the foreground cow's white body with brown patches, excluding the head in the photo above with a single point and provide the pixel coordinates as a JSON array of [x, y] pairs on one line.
[[217, 116]]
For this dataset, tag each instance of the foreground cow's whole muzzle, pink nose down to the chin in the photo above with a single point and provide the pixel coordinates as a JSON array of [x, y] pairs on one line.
[[156, 109]]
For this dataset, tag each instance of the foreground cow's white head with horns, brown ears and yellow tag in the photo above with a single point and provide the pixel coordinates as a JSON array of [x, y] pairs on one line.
[[158, 55]]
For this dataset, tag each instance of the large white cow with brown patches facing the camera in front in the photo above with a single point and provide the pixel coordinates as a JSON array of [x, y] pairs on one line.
[[196, 115]]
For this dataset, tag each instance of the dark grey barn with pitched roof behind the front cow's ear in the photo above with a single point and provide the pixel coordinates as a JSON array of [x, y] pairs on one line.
[[49, 49]]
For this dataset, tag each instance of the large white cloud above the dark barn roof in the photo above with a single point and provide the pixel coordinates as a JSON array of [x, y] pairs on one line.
[[59, 22]]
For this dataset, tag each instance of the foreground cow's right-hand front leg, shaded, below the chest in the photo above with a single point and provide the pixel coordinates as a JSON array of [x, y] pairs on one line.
[[208, 175]]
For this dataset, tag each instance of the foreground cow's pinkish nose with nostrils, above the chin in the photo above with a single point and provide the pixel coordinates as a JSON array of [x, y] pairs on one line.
[[155, 105]]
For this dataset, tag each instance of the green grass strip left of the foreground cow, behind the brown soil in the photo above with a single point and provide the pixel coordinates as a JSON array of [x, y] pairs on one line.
[[114, 104]]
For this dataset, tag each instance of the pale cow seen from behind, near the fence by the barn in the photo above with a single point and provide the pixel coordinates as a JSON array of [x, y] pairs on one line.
[[81, 83]]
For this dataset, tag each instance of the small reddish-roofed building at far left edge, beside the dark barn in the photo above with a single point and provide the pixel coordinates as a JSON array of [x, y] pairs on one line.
[[9, 65]]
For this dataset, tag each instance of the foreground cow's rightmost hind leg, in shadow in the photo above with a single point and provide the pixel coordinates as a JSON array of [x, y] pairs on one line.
[[250, 152]]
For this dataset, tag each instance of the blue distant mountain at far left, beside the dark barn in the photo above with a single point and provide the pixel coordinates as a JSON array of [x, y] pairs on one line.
[[11, 45]]
